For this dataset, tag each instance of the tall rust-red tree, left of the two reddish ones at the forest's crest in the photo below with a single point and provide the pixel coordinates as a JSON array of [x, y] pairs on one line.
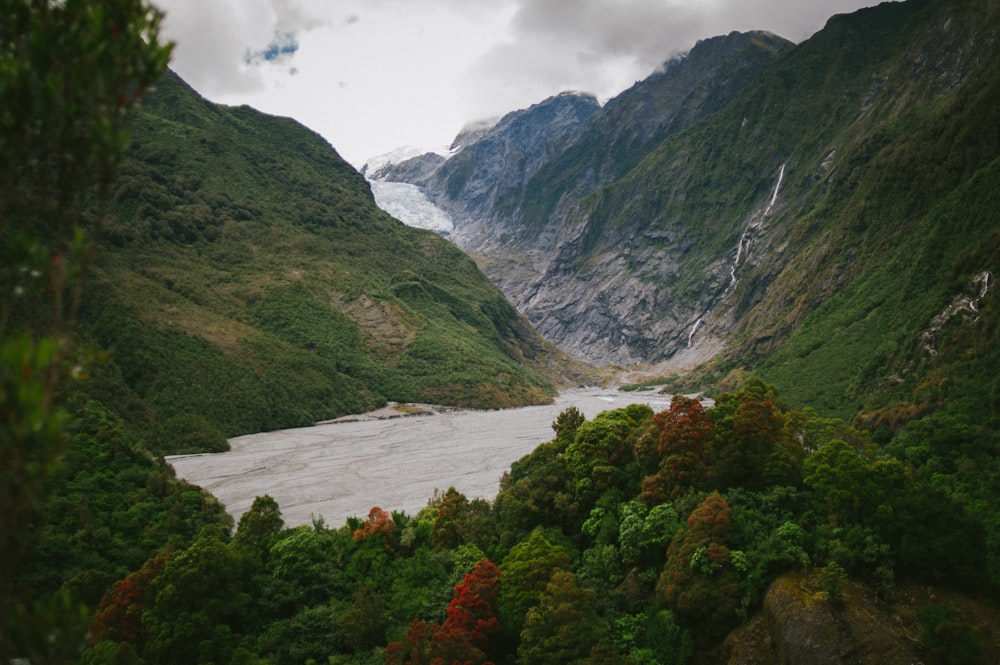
[[685, 444]]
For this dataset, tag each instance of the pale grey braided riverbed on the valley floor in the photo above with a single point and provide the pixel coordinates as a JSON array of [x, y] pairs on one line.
[[341, 469]]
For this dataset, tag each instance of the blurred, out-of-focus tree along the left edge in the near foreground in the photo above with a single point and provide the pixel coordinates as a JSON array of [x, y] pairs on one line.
[[70, 73]]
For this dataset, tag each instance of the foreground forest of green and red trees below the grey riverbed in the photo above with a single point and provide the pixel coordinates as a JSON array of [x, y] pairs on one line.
[[634, 537]]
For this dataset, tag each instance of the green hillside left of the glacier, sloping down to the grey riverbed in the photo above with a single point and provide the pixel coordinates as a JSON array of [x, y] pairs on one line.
[[248, 282]]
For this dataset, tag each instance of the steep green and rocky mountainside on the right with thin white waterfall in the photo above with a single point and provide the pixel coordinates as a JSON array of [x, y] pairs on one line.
[[809, 218]]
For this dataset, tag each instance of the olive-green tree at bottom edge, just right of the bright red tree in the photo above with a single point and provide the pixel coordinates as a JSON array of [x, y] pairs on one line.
[[564, 627]]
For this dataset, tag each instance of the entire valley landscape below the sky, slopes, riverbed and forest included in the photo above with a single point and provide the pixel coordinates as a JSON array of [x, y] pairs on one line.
[[217, 353]]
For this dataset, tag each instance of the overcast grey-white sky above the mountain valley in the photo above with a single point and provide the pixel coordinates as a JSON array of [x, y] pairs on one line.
[[374, 75]]
